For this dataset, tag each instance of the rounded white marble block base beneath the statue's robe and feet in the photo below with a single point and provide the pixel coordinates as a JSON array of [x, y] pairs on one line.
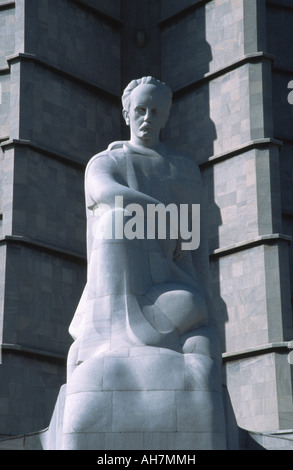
[[141, 398]]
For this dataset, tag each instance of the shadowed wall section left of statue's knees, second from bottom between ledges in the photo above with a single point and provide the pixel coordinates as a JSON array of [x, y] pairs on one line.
[[29, 289]]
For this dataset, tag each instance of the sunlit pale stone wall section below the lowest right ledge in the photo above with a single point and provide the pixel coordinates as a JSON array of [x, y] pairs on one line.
[[262, 391]]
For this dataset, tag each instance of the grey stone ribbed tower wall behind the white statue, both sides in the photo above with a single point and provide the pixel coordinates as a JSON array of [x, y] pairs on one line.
[[229, 65]]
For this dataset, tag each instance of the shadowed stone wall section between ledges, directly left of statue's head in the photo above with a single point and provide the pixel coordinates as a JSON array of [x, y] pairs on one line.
[[54, 108]]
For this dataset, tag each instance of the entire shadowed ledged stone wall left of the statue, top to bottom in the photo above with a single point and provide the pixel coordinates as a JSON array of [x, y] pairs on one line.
[[55, 88]]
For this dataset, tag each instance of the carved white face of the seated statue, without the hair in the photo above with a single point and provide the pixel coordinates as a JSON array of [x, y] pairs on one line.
[[147, 115]]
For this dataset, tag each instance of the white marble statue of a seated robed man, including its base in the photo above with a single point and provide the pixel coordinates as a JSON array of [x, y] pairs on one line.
[[143, 371]]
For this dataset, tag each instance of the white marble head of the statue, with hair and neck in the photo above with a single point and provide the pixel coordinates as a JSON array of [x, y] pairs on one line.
[[146, 106]]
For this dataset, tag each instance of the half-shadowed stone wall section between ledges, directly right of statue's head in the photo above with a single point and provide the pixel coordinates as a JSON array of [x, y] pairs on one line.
[[213, 109]]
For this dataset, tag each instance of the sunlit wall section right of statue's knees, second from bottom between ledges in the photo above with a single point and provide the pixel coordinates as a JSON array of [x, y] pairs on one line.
[[255, 309]]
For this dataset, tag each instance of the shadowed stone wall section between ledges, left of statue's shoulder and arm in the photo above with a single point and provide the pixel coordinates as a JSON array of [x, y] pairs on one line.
[[52, 191]]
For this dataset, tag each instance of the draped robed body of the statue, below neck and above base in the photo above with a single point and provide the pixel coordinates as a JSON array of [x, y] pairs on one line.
[[139, 291]]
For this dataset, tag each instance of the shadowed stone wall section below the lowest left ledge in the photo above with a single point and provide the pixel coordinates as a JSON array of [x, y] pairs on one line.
[[28, 391]]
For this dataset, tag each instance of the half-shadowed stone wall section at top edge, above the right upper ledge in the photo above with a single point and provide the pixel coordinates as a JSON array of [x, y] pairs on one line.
[[195, 44]]
